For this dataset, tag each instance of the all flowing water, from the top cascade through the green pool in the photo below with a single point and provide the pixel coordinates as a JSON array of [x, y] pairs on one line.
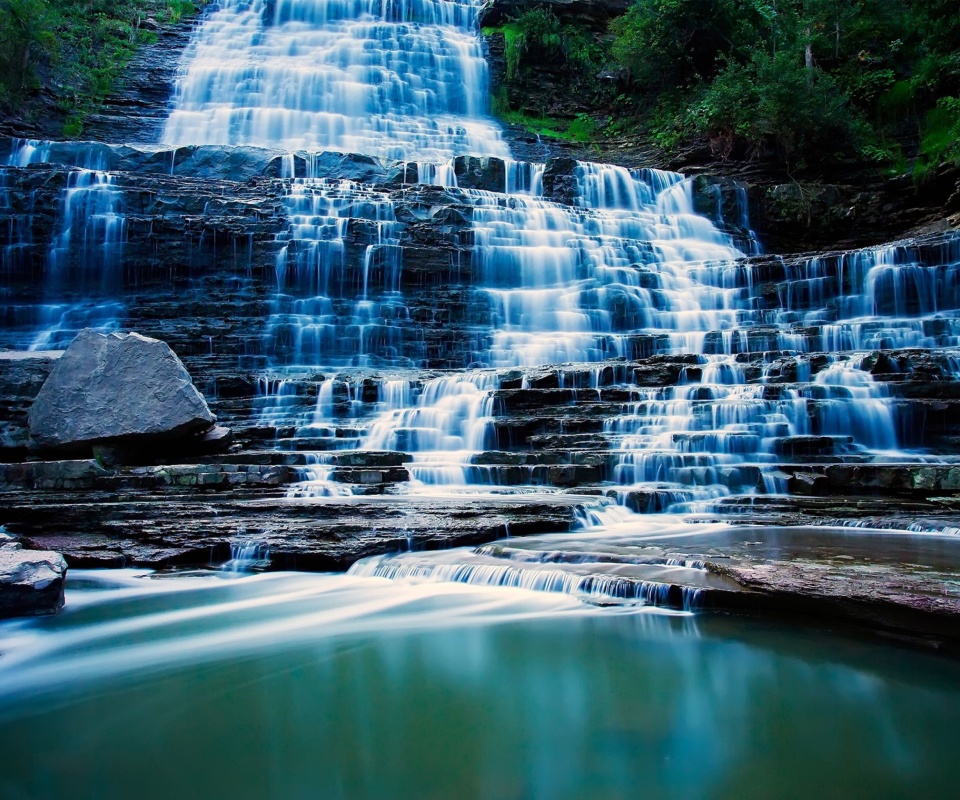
[[549, 669]]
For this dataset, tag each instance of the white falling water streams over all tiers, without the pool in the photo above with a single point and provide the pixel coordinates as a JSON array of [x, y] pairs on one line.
[[622, 267]]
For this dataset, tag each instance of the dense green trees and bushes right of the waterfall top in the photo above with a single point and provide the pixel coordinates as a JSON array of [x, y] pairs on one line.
[[809, 80]]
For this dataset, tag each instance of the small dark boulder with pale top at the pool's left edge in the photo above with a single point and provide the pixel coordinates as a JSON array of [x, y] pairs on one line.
[[31, 581]]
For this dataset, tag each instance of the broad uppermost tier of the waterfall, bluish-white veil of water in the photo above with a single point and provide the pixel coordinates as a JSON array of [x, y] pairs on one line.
[[400, 79]]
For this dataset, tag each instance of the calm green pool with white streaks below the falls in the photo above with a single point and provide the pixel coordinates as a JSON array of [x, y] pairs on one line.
[[312, 686]]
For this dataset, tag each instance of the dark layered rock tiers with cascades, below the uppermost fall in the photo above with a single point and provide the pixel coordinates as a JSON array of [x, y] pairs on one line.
[[319, 315]]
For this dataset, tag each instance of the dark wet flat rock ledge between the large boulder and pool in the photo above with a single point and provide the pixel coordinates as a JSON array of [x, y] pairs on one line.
[[308, 534]]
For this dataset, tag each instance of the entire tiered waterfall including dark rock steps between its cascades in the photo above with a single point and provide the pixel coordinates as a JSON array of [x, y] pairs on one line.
[[351, 235]]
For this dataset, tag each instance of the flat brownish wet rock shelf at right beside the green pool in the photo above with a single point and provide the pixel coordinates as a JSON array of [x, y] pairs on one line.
[[906, 584]]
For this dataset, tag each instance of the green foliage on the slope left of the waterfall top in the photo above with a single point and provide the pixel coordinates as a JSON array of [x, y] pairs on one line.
[[76, 48]]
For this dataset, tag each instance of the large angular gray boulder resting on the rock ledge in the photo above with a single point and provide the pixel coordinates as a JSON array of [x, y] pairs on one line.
[[117, 389]]
